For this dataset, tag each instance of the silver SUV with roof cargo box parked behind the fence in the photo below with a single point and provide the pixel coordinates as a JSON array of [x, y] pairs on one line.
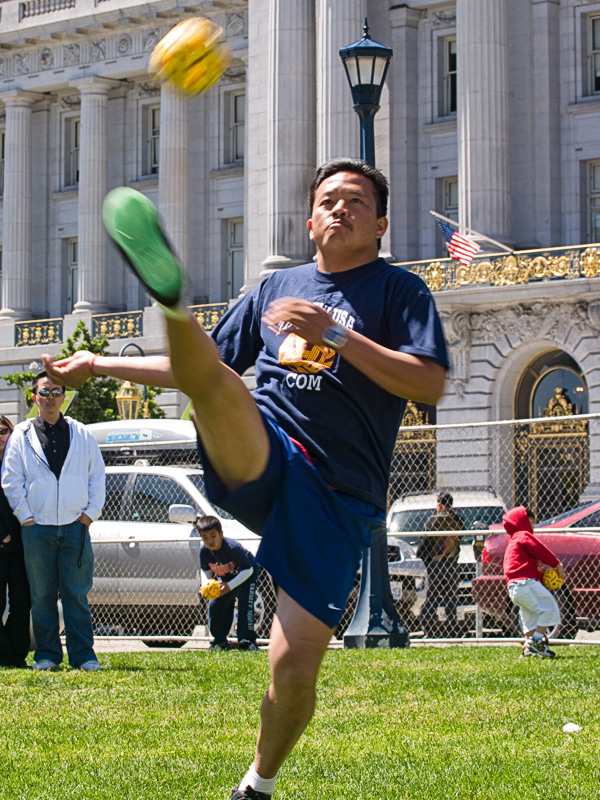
[[146, 568]]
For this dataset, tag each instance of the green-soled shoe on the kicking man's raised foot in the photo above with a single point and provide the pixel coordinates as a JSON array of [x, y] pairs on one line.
[[132, 222]]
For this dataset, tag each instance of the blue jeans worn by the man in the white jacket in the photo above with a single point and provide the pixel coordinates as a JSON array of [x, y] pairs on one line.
[[52, 553]]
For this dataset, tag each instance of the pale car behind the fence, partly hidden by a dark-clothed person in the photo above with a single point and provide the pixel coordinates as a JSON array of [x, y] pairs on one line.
[[406, 519]]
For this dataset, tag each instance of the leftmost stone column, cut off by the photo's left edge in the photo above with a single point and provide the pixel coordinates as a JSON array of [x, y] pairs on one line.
[[16, 244]]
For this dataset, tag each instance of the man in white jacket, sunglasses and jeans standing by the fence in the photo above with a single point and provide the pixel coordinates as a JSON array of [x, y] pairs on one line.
[[53, 478]]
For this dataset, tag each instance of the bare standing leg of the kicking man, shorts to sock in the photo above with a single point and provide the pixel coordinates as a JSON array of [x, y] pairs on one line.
[[298, 644]]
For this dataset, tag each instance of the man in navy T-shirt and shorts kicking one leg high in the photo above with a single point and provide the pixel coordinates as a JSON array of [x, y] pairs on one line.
[[304, 460]]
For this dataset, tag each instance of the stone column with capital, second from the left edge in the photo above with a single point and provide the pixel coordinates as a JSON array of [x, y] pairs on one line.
[[93, 183]]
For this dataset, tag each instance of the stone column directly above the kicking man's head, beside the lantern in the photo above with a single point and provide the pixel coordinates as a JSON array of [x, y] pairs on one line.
[[339, 23]]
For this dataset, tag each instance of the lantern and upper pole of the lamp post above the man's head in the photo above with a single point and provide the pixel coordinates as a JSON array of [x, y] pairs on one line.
[[366, 63]]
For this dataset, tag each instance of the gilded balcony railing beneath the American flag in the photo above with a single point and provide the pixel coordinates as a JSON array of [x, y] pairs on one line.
[[520, 267]]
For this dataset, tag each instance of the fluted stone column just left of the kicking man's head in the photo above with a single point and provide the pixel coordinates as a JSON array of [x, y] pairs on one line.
[[291, 152]]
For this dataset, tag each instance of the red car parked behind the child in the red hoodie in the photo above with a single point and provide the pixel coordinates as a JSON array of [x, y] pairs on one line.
[[578, 598]]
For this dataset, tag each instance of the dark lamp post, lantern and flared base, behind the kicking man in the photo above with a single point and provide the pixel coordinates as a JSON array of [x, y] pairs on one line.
[[375, 622]]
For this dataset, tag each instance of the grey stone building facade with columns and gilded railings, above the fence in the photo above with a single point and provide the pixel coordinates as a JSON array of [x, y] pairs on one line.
[[489, 116]]
